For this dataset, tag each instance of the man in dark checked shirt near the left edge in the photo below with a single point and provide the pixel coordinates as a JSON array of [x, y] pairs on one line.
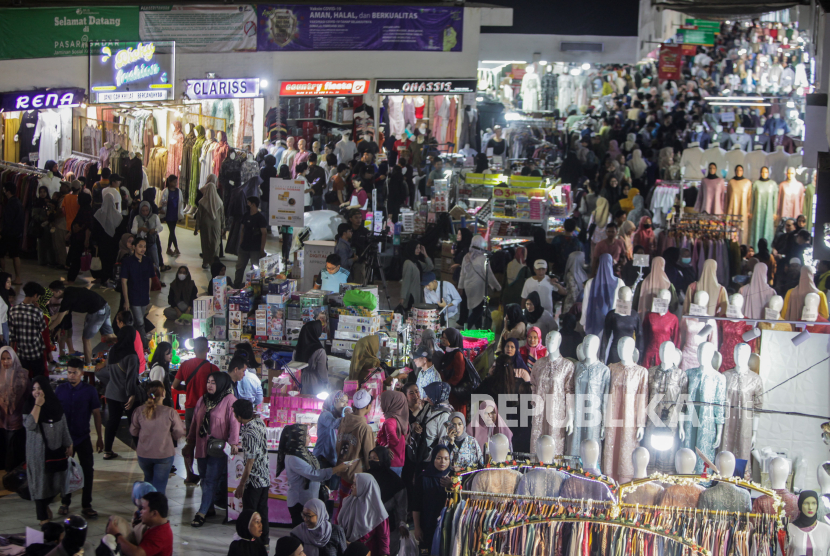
[[26, 326]]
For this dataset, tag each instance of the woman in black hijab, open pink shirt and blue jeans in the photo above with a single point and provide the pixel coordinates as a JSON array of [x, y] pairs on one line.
[[213, 418]]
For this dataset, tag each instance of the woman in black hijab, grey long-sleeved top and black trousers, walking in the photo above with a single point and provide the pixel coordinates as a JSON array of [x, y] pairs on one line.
[[120, 376]]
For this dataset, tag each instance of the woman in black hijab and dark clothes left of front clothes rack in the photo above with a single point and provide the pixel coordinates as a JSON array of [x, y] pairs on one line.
[[430, 495]]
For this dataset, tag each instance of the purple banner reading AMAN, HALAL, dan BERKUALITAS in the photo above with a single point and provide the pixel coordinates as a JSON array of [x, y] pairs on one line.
[[385, 27]]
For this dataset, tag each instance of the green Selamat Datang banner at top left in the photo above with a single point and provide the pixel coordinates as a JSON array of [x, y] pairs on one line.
[[52, 32]]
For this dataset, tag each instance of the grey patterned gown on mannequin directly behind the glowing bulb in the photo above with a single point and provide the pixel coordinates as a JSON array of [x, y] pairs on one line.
[[669, 386]]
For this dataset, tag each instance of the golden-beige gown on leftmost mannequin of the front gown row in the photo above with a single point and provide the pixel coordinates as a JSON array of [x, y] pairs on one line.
[[553, 379]]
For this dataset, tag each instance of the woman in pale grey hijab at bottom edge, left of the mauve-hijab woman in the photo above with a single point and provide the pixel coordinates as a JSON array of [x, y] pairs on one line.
[[363, 515]]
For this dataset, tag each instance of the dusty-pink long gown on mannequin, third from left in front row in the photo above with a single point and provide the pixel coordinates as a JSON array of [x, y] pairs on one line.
[[627, 404]]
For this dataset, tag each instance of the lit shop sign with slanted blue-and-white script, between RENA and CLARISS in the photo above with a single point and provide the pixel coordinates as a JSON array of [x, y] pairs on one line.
[[131, 72]]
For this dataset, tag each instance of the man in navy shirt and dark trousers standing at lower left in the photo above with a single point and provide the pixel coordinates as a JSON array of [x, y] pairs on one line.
[[80, 404]]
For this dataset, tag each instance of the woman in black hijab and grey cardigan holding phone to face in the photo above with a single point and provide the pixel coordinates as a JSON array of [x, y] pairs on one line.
[[47, 439]]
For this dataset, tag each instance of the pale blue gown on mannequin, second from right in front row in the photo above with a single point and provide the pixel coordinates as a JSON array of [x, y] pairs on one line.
[[709, 387]]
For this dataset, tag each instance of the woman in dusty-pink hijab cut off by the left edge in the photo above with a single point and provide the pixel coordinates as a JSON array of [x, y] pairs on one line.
[[16, 387]]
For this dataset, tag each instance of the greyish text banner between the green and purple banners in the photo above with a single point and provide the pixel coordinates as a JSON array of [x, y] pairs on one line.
[[201, 28]]
